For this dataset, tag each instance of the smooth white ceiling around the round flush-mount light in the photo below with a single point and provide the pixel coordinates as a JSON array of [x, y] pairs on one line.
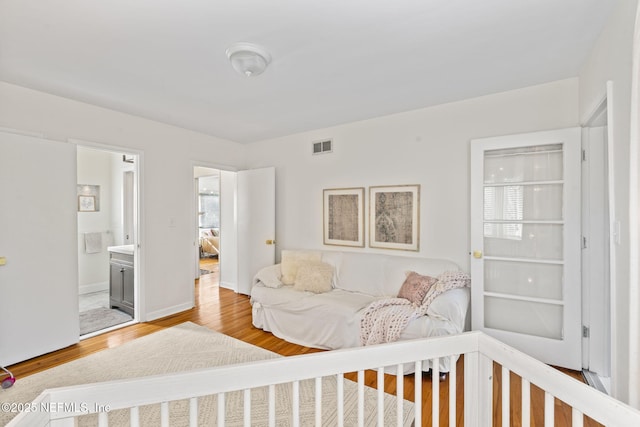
[[334, 61]]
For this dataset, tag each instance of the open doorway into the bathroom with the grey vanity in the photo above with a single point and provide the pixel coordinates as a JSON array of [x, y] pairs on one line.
[[107, 210]]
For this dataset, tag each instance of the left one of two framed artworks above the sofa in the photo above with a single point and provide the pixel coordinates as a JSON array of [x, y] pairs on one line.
[[343, 216]]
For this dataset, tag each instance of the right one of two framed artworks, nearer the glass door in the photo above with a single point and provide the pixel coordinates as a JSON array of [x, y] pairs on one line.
[[394, 217]]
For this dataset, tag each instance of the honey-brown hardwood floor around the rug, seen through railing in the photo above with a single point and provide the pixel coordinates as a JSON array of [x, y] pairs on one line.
[[225, 311]]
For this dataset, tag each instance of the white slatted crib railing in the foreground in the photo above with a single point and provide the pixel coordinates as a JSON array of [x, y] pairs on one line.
[[480, 353]]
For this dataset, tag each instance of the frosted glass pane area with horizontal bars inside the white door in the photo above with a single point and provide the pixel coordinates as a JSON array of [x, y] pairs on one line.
[[523, 229]]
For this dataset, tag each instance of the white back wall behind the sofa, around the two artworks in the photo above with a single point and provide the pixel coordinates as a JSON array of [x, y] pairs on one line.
[[429, 147]]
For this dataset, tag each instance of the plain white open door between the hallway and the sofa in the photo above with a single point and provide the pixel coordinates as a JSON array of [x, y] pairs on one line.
[[256, 207]]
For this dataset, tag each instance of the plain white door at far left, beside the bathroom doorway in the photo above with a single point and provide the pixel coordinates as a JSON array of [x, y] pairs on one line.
[[39, 243]]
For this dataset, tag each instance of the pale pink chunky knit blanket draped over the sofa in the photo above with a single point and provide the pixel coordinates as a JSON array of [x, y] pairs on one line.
[[385, 319]]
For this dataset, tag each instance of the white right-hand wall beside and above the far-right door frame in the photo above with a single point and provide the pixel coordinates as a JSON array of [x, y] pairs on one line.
[[611, 59]]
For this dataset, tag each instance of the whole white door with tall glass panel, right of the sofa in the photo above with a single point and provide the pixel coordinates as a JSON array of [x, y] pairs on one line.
[[525, 243]]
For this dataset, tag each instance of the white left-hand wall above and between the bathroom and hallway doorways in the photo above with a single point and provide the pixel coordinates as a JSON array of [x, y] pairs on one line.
[[167, 154]]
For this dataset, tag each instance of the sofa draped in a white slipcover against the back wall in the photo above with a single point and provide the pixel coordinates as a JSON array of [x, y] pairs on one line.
[[331, 320]]
